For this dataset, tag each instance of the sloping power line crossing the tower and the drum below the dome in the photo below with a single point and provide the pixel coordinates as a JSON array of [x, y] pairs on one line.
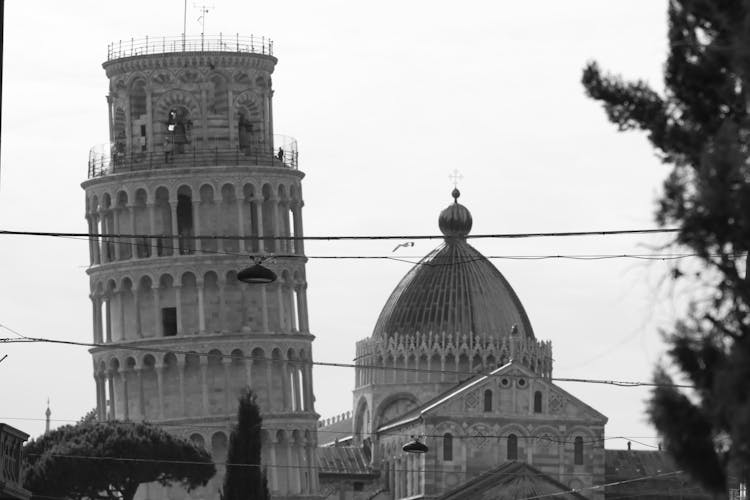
[[618, 383]]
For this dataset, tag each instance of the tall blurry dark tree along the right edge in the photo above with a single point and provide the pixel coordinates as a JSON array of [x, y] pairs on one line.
[[700, 127]]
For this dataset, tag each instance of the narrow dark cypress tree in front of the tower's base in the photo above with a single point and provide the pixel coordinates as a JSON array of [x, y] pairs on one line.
[[244, 478]]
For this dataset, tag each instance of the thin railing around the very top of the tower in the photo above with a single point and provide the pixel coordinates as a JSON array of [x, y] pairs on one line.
[[203, 43]]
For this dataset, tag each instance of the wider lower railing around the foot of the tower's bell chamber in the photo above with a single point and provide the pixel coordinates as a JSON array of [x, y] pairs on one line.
[[104, 160]]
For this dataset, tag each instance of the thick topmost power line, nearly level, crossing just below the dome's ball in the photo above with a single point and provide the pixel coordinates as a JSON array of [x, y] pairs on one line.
[[343, 237]]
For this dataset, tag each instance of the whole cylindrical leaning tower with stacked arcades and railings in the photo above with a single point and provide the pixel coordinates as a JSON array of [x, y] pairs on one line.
[[193, 160]]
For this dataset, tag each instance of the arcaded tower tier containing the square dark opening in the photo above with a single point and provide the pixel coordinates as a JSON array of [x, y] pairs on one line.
[[183, 303]]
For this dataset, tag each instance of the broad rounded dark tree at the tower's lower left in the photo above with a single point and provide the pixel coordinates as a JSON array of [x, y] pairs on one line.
[[108, 460]]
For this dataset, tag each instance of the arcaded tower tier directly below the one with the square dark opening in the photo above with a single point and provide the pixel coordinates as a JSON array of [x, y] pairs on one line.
[[159, 387]]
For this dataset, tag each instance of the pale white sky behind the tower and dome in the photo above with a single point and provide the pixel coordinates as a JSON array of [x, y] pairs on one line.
[[385, 98]]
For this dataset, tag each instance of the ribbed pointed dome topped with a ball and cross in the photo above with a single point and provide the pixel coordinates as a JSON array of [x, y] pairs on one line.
[[454, 289]]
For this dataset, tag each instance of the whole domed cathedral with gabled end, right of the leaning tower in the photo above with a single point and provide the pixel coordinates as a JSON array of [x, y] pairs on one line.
[[453, 362]]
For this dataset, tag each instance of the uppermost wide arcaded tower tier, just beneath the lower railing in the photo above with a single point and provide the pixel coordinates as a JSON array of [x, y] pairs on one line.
[[177, 218]]
